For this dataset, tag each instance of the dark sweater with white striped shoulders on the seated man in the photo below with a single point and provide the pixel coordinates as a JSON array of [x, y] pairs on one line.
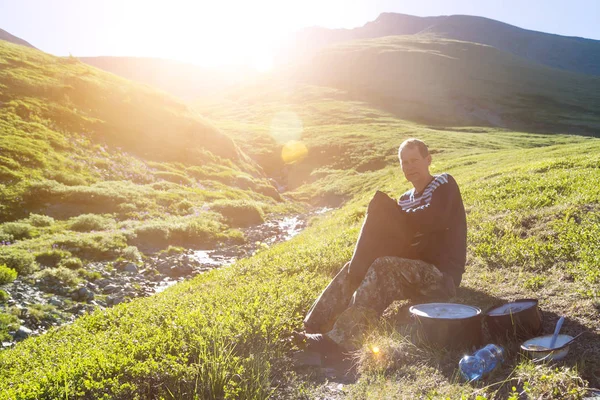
[[437, 220]]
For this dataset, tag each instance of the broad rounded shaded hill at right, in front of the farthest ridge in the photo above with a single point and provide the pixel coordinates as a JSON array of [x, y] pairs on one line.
[[446, 82]]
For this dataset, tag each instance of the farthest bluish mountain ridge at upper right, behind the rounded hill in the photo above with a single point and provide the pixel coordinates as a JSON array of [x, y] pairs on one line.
[[568, 53]]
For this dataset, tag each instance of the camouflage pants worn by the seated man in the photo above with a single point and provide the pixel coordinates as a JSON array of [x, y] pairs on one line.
[[387, 279]]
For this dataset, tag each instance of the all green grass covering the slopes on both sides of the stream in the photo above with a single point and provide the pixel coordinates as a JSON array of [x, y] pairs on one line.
[[533, 214]]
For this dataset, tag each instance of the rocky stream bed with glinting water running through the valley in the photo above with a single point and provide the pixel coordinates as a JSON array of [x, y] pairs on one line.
[[43, 303]]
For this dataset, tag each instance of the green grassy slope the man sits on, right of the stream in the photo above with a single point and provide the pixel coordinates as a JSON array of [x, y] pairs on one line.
[[533, 216]]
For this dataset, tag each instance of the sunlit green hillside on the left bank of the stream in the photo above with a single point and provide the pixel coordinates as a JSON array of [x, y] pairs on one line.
[[97, 168]]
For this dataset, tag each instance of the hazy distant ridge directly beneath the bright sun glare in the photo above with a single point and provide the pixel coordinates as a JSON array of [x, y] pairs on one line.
[[184, 80]]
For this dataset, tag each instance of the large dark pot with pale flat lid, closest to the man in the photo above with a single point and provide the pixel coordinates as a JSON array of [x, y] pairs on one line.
[[447, 325]]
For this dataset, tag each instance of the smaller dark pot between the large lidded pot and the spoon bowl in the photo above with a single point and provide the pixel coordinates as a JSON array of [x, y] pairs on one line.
[[517, 320]]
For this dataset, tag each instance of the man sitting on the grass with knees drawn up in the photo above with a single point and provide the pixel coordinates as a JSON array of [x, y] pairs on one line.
[[415, 248]]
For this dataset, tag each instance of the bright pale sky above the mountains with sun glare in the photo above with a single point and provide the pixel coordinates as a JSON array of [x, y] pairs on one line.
[[217, 33]]
